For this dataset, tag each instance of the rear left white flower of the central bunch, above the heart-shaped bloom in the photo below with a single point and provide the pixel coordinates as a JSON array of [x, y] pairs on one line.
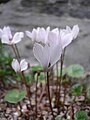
[[39, 34]]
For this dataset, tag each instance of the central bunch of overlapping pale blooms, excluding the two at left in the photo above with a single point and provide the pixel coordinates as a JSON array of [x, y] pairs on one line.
[[50, 43]]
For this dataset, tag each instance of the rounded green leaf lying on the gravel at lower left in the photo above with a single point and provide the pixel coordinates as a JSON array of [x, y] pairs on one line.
[[15, 96]]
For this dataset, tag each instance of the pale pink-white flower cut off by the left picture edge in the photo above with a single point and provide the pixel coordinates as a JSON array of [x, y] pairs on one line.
[[7, 38]]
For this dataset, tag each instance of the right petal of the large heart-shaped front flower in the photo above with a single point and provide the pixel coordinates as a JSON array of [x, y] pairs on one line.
[[55, 54]]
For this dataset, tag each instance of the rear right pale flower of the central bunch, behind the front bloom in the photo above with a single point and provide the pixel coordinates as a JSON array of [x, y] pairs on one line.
[[63, 36]]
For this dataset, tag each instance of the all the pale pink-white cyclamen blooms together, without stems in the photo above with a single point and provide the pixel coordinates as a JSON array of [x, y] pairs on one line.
[[48, 44]]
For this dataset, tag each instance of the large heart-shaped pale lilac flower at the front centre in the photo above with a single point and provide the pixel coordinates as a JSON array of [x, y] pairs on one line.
[[47, 55]]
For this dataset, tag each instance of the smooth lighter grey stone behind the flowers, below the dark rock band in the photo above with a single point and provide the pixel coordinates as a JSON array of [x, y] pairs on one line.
[[20, 19]]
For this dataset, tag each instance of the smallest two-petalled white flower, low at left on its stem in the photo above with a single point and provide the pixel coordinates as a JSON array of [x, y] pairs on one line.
[[19, 67]]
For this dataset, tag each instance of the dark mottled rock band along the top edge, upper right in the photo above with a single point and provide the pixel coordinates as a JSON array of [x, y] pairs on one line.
[[74, 8]]
